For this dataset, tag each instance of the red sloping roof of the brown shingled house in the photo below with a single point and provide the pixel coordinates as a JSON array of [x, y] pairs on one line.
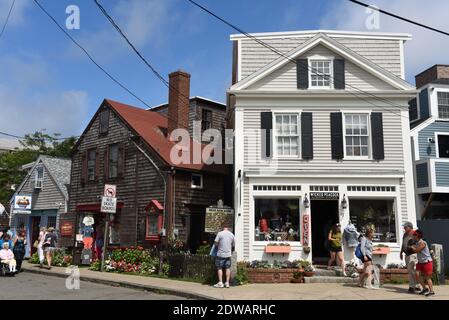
[[152, 127]]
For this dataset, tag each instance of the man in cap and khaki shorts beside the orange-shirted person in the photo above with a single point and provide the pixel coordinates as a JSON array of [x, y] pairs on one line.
[[410, 257]]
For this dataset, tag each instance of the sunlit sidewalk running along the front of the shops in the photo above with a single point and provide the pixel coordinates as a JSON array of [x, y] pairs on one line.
[[318, 291]]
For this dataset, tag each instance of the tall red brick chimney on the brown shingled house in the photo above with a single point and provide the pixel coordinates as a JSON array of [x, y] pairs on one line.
[[178, 100]]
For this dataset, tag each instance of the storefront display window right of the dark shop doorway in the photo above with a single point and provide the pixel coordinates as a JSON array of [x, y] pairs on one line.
[[377, 213]]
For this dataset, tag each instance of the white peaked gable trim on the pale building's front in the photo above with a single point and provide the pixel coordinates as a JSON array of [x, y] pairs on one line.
[[335, 46]]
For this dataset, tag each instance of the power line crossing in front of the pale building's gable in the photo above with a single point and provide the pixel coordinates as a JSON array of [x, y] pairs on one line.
[[295, 62]]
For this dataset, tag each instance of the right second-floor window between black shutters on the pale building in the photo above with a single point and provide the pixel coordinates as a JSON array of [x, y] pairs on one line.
[[357, 135]]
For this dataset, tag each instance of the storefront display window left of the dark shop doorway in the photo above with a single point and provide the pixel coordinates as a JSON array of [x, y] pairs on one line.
[[276, 219]]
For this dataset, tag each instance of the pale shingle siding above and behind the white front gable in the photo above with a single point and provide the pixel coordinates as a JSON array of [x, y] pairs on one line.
[[385, 53]]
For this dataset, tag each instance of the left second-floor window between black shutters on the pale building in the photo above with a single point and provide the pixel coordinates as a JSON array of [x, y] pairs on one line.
[[287, 135]]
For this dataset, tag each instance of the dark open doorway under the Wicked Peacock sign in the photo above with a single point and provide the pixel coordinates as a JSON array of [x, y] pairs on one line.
[[324, 213]]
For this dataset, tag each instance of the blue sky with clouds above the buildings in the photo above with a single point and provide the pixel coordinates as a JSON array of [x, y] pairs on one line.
[[47, 82]]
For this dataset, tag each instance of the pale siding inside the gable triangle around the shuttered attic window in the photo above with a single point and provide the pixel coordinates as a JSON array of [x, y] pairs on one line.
[[285, 78]]
